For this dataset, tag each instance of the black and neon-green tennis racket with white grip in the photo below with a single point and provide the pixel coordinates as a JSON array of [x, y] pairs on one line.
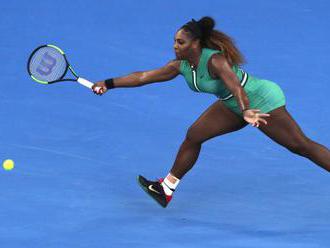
[[48, 64]]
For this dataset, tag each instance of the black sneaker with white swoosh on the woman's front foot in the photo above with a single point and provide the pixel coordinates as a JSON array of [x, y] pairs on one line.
[[155, 190]]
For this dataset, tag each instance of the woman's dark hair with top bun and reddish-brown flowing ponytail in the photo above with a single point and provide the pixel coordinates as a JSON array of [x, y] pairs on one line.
[[203, 30]]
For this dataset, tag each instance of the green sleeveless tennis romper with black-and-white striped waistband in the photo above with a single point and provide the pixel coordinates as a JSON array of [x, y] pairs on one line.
[[263, 94]]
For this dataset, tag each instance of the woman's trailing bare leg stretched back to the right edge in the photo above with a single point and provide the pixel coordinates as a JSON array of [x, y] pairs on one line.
[[285, 131]]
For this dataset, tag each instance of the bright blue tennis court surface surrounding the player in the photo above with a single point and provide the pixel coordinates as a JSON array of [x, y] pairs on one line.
[[77, 155]]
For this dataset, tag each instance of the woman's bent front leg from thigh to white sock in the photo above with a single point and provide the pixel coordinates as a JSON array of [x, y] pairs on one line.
[[215, 121]]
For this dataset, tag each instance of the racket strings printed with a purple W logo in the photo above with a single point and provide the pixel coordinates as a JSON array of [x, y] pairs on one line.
[[48, 64]]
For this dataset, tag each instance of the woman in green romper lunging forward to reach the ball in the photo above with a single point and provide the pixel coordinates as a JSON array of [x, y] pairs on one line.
[[209, 62]]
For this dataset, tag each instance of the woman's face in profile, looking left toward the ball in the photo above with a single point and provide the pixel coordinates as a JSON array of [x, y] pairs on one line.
[[182, 44]]
